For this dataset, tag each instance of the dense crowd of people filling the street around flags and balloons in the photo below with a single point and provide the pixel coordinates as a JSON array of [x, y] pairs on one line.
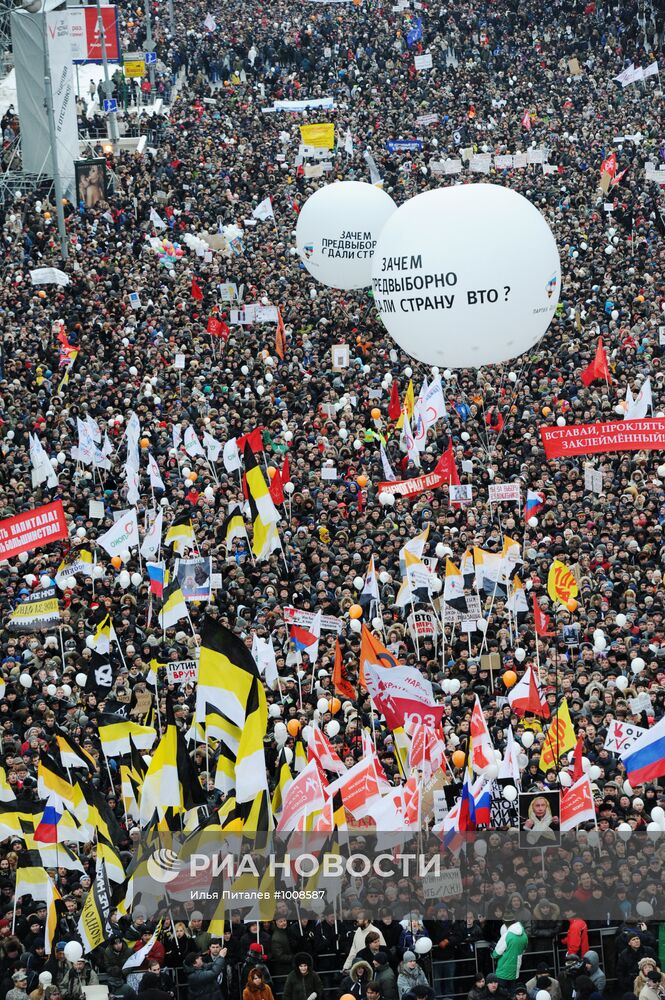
[[501, 81]]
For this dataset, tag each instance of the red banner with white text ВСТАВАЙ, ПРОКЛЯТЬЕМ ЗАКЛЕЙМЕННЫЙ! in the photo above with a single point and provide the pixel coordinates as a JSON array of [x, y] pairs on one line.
[[591, 439]]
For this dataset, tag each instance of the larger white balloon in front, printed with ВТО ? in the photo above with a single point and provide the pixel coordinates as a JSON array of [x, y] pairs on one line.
[[466, 276]]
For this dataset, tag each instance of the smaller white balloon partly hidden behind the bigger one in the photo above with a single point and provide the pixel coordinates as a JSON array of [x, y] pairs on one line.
[[337, 231]]
